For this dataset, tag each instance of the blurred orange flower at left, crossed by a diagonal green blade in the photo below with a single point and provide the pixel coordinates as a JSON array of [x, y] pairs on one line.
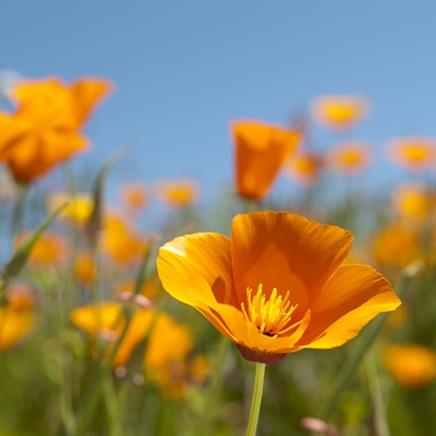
[[51, 248]]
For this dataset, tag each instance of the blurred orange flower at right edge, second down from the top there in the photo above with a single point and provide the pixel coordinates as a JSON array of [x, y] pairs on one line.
[[413, 201]]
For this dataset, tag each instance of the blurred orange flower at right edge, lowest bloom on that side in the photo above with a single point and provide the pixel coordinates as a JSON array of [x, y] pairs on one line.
[[411, 365]]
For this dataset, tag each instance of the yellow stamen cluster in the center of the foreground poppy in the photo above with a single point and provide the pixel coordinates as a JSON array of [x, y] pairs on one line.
[[271, 316]]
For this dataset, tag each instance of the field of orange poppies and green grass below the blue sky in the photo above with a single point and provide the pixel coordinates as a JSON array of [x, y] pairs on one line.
[[278, 307]]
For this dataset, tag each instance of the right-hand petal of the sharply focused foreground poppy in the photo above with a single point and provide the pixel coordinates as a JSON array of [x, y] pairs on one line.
[[353, 296]]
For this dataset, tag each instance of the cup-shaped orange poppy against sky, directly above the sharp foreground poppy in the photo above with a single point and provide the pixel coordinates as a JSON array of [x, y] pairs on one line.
[[261, 150]]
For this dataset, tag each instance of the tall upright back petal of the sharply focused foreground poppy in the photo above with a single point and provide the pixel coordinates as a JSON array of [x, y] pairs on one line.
[[285, 251]]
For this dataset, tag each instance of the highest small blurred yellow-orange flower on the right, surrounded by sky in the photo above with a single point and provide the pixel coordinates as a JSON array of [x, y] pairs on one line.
[[339, 112]]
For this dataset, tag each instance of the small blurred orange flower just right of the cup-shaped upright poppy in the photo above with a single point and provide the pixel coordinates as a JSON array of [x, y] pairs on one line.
[[305, 167]]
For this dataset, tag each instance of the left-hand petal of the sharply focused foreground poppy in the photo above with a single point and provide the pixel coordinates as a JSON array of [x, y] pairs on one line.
[[196, 269]]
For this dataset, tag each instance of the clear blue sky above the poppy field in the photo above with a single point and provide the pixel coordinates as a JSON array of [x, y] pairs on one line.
[[184, 69]]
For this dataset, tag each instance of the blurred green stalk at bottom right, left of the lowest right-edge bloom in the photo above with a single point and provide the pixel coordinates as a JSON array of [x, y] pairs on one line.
[[381, 427]]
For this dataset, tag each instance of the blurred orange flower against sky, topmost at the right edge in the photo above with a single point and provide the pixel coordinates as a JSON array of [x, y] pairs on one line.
[[413, 153]]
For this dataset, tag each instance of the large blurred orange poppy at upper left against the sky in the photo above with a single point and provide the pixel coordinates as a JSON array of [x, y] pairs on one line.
[[44, 131]]
